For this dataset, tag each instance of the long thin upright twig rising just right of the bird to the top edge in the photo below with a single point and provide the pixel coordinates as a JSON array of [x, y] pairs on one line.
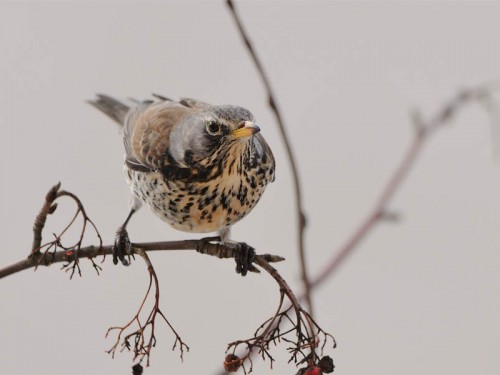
[[301, 218]]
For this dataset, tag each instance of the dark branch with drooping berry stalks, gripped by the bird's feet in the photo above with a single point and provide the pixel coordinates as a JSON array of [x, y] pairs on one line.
[[306, 335]]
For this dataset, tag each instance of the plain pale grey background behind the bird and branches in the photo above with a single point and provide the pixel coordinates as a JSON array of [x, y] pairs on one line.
[[421, 296]]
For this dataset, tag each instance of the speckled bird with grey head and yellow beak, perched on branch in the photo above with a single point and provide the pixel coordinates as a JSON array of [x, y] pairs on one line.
[[199, 167]]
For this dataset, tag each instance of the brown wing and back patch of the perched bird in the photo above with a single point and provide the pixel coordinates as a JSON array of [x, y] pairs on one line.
[[147, 133]]
